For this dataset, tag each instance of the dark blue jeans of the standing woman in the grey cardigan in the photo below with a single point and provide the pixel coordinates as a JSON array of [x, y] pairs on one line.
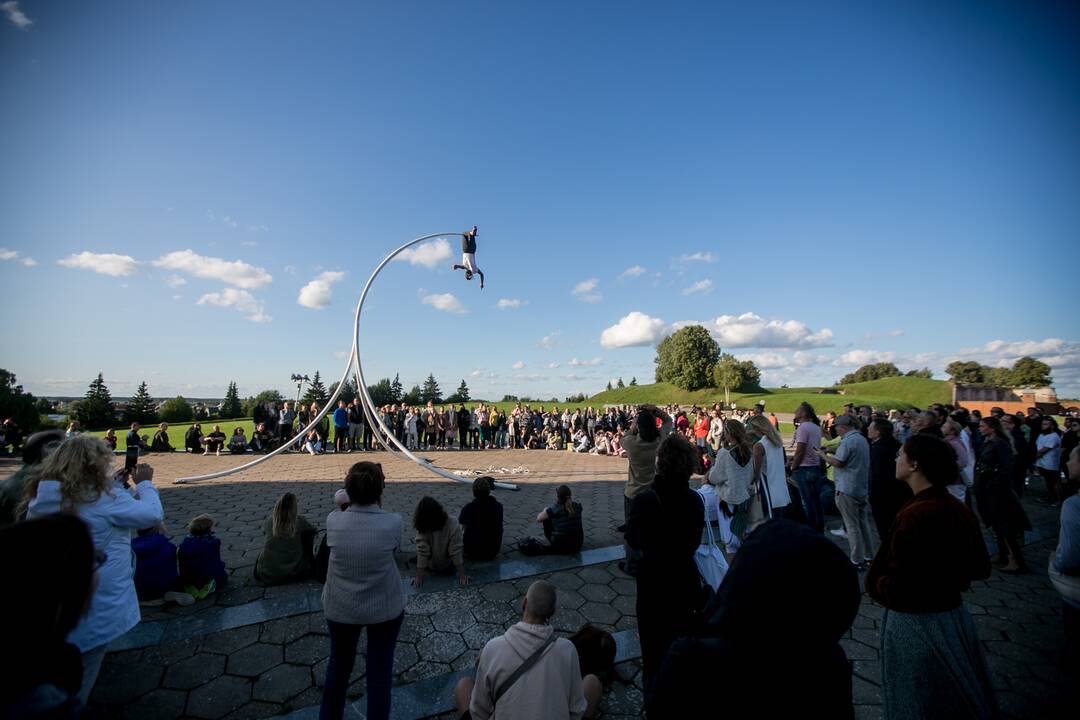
[[382, 641]]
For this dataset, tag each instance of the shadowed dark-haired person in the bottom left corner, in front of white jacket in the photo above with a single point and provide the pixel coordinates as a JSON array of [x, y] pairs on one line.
[[56, 565]]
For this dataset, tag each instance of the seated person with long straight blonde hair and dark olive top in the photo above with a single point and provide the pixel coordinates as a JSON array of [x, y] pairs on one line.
[[287, 553]]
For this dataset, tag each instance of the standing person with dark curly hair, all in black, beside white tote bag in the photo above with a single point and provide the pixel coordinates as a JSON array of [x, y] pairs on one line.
[[665, 526]]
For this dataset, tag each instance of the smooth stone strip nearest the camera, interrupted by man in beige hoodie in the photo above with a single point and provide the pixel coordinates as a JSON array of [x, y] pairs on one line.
[[434, 697]]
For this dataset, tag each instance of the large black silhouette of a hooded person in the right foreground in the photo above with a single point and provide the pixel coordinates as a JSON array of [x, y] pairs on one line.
[[752, 616]]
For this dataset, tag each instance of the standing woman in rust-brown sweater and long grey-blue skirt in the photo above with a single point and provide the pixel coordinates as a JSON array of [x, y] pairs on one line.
[[933, 663]]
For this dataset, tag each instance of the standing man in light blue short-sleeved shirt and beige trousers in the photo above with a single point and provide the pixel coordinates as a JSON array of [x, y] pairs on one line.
[[852, 469]]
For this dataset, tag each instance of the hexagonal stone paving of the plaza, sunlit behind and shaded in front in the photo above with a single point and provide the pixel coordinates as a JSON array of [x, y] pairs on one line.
[[274, 668]]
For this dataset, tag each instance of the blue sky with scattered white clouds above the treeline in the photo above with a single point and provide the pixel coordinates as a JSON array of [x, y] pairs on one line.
[[821, 185]]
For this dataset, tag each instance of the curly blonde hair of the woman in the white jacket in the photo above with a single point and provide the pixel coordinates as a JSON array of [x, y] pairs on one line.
[[83, 465]]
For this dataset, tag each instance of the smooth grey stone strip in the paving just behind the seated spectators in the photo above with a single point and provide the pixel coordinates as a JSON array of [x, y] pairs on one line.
[[221, 618]]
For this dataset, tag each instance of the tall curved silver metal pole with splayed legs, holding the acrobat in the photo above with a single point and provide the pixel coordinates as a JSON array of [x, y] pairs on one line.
[[354, 366]]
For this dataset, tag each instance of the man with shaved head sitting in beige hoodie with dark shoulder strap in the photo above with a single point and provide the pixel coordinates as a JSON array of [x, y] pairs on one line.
[[552, 689]]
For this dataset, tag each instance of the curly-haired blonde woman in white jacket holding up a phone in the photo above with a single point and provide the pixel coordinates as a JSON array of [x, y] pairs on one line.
[[79, 478]]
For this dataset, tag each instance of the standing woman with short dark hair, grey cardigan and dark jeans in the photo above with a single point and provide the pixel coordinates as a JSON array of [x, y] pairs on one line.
[[363, 590]]
